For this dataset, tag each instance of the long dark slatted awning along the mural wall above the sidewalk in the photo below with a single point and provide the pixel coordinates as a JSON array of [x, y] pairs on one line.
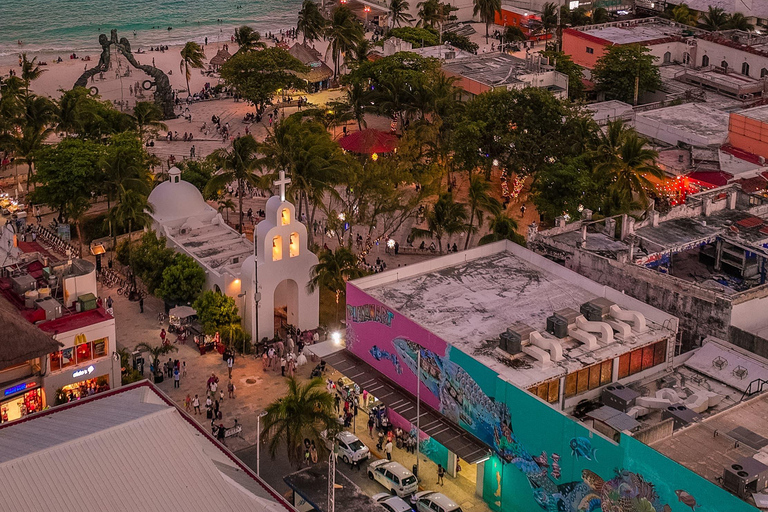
[[432, 423]]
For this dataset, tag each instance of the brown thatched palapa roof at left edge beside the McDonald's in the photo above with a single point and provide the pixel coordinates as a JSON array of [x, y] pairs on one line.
[[20, 340]]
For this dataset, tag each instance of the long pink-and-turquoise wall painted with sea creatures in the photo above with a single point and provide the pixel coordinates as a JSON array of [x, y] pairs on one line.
[[542, 459]]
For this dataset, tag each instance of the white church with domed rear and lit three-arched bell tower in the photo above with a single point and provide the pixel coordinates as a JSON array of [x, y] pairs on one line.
[[270, 276]]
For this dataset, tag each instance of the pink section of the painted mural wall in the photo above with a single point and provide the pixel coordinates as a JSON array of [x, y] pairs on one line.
[[372, 329]]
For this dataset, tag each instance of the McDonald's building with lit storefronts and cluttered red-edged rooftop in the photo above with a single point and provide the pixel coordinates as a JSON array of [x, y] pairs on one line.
[[59, 299]]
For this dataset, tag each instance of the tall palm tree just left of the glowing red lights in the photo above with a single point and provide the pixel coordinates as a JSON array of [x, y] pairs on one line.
[[629, 172]]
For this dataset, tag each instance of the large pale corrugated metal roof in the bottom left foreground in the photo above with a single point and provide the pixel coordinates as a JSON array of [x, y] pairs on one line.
[[127, 449]]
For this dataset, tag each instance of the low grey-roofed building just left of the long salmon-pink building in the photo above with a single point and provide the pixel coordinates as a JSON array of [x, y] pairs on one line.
[[491, 71]]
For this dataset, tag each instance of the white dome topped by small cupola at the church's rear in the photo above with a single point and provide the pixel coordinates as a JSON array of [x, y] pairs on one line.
[[177, 199]]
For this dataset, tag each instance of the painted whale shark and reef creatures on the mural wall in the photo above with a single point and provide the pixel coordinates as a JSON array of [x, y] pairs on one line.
[[462, 400]]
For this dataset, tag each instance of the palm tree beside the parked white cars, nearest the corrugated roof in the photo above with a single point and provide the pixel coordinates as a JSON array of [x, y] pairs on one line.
[[303, 413]]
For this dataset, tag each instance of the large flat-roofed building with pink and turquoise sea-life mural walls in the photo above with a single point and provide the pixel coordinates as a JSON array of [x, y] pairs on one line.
[[500, 343]]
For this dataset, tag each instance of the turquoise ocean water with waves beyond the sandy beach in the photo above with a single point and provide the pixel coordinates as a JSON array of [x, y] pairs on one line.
[[52, 26]]
